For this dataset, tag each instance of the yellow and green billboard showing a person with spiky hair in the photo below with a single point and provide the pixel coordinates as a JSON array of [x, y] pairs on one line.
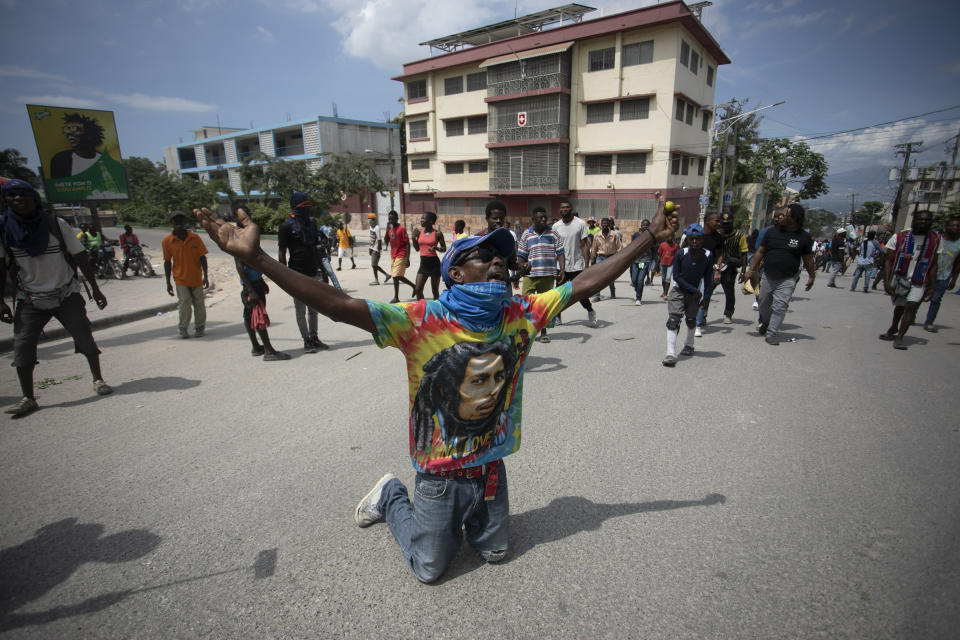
[[79, 154]]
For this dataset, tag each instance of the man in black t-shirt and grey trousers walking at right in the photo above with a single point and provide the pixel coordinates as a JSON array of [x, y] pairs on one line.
[[781, 252]]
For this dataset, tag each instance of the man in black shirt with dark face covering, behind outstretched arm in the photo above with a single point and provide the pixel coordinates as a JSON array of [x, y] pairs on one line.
[[298, 235]]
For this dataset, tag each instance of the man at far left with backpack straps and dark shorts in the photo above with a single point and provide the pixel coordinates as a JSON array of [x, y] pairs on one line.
[[42, 254]]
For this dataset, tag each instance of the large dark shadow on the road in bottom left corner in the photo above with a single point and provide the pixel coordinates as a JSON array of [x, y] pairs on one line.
[[30, 570]]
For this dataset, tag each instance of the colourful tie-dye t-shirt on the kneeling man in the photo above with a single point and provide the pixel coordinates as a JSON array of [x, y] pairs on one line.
[[466, 387]]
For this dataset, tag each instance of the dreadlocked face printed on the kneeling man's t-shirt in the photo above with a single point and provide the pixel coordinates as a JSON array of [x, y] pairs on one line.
[[463, 388]]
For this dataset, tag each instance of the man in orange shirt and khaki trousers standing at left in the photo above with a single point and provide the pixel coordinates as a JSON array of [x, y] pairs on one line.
[[188, 255]]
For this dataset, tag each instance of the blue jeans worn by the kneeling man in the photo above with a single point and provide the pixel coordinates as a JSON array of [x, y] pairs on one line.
[[430, 530]]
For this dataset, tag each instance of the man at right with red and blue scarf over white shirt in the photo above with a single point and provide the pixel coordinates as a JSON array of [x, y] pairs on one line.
[[910, 274]]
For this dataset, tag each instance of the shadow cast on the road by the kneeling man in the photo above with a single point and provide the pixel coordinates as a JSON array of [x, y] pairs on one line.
[[562, 518]]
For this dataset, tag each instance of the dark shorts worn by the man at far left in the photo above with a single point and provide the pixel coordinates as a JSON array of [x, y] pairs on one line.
[[29, 321]]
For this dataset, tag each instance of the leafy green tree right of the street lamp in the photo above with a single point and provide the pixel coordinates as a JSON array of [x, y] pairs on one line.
[[783, 162]]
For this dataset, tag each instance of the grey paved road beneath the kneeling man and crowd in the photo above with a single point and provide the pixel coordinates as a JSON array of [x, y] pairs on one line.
[[800, 491]]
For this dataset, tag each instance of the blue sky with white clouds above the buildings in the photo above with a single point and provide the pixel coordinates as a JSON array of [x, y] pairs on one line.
[[889, 71]]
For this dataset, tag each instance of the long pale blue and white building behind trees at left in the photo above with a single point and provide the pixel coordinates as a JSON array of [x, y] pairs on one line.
[[216, 149]]
